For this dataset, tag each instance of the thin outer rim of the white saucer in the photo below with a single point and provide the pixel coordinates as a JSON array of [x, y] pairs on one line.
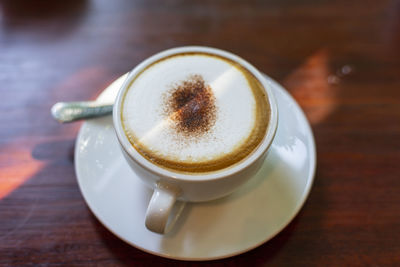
[[310, 180]]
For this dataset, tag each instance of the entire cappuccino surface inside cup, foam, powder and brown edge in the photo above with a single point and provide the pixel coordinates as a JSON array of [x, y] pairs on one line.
[[195, 112]]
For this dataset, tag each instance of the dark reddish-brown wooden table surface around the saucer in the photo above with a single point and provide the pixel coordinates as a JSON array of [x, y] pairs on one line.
[[339, 59]]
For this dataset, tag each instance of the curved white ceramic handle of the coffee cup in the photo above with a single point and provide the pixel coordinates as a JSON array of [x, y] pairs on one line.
[[161, 208]]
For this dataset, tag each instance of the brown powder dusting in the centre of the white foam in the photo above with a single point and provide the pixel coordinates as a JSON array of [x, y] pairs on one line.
[[190, 104]]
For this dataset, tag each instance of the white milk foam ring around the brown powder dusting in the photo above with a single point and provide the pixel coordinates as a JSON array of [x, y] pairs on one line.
[[145, 120]]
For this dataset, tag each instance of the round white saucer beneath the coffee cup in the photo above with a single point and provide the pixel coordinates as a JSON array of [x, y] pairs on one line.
[[251, 216]]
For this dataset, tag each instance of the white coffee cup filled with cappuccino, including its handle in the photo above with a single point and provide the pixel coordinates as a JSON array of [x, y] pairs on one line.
[[194, 123]]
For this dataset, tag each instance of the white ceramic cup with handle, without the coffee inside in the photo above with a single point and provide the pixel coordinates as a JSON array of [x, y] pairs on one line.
[[170, 186]]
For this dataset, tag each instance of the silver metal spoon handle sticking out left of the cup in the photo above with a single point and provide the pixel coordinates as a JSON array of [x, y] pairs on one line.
[[72, 111]]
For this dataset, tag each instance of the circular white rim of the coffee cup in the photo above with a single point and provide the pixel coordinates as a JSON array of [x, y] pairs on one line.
[[175, 175]]
